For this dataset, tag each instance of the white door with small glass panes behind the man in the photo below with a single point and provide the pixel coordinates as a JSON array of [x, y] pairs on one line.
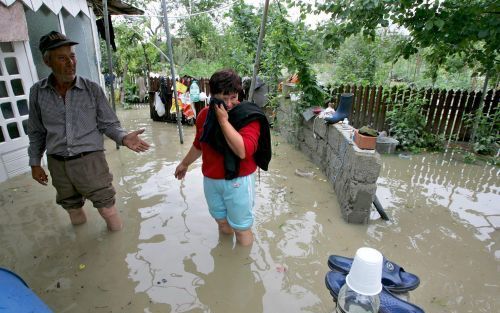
[[15, 82]]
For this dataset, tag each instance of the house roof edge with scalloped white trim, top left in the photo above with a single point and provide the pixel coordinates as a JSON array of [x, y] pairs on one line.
[[74, 7]]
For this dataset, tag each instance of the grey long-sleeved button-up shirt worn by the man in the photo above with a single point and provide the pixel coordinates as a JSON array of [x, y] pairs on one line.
[[70, 126]]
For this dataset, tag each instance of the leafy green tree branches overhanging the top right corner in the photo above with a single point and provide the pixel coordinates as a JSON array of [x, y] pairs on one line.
[[446, 28]]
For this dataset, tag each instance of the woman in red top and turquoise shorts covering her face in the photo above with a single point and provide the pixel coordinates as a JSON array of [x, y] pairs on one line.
[[233, 138]]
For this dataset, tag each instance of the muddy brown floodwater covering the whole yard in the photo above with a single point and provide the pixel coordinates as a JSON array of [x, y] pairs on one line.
[[444, 227]]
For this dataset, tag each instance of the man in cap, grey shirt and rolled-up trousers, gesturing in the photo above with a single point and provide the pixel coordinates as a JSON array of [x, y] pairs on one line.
[[68, 115]]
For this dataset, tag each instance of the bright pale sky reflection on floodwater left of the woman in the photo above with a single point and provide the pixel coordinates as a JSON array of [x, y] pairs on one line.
[[170, 234]]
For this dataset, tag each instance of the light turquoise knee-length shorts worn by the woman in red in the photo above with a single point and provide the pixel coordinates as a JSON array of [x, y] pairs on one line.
[[231, 200]]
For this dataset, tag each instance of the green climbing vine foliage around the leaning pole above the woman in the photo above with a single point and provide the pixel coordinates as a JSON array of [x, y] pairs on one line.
[[286, 45]]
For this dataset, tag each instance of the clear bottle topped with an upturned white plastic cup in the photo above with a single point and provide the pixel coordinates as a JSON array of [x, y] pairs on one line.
[[360, 293]]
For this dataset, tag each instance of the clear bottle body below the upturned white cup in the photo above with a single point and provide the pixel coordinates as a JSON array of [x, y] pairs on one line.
[[349, 301]]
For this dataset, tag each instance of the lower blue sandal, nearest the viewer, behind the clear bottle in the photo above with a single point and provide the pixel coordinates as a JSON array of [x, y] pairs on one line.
[[389, 303]]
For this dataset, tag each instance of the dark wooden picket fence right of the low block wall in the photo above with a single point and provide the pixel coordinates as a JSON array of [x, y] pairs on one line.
[[445, 111]]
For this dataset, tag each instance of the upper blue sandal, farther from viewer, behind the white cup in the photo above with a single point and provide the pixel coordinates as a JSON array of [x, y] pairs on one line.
[[394, 277]]
